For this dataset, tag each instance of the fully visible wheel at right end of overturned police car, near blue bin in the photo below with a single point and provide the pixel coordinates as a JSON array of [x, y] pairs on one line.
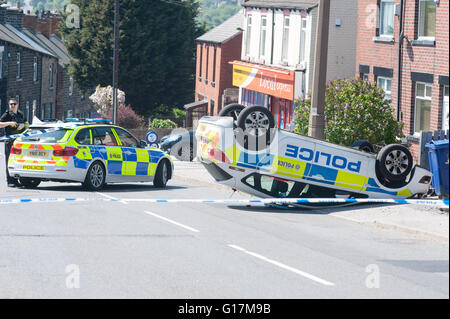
[[394, 162]]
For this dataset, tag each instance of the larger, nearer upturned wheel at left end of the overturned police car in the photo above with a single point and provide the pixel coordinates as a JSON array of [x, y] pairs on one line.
[[256, 128]]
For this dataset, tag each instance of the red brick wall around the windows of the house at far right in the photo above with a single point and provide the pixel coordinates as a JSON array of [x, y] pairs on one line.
[[421, 58]]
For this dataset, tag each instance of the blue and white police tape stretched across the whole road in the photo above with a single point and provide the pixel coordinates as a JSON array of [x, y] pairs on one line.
[[279, 201]]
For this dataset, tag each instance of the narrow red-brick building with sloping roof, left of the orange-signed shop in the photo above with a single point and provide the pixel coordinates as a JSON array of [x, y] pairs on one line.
[[213, 80]]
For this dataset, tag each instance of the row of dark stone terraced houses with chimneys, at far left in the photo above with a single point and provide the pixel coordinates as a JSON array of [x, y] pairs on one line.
[[33, 68]]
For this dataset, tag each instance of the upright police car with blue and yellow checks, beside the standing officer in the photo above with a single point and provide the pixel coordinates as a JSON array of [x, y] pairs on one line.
[[91, 152]]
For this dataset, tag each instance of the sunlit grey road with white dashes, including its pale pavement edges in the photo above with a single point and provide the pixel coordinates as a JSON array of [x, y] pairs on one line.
[[189, 250]]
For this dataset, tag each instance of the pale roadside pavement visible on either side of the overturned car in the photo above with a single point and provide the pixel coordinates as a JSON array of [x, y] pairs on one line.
[[422, 221]]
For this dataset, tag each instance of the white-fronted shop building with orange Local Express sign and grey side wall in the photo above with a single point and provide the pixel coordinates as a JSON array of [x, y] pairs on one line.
[[278, 52]]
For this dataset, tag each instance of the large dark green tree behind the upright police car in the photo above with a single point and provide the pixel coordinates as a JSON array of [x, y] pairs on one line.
[[157, 50]]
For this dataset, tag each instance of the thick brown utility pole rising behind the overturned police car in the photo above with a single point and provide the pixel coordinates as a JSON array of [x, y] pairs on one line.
[[317, 117]]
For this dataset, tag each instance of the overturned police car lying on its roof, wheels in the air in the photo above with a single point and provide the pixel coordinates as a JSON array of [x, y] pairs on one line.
[[240, 148]]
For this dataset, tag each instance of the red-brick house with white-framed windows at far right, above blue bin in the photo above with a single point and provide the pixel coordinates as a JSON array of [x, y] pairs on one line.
[[419, 52]]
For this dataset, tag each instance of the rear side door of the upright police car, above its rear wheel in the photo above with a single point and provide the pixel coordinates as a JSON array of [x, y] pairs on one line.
[[106, 147]]
